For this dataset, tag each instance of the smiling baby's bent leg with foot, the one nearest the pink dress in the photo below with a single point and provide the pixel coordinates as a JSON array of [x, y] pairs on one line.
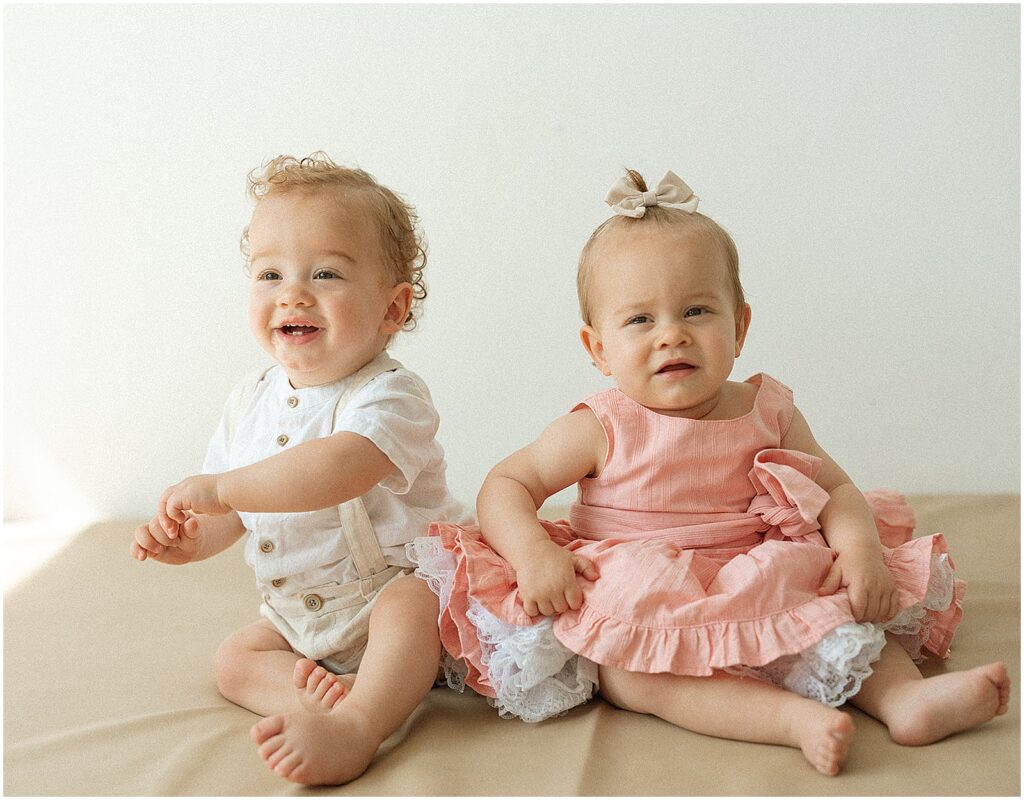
[[398, 671]]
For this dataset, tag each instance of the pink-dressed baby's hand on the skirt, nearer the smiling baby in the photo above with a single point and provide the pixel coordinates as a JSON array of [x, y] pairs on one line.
[[548, 581]]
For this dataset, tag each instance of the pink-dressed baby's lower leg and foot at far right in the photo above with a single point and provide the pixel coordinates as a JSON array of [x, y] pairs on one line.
[[919, 710]]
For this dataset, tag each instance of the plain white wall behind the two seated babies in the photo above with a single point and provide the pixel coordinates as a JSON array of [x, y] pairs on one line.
[[867, 160]]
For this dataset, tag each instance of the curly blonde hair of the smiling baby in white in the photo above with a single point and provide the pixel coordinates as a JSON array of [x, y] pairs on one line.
[[402, 243]]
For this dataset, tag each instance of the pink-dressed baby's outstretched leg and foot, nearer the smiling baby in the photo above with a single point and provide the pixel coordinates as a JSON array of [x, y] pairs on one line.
[[731, 707]]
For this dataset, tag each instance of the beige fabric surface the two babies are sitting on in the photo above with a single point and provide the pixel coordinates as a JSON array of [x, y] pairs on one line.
[[109, 691]]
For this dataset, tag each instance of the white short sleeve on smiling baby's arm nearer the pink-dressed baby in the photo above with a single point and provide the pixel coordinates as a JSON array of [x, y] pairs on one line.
[[395, 411]]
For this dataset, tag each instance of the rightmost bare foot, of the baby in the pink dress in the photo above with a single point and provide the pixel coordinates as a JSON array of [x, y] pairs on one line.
[[935, 708]]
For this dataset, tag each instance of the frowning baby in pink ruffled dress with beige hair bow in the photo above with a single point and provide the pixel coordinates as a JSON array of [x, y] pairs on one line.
[[719, 570]]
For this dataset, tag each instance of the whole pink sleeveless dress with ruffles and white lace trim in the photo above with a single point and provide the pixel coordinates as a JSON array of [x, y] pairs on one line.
[[706, 537]]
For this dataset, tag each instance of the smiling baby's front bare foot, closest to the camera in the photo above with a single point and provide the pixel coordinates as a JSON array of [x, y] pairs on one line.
[[317, 749]]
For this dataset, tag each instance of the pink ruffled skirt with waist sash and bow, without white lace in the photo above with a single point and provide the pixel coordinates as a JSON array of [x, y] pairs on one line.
[[689, 595]]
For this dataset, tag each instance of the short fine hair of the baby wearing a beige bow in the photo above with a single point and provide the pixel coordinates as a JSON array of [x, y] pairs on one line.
[[696, 224]]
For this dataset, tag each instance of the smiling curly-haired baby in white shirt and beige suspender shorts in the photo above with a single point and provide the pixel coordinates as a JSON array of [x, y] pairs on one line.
[[328, 461]]
